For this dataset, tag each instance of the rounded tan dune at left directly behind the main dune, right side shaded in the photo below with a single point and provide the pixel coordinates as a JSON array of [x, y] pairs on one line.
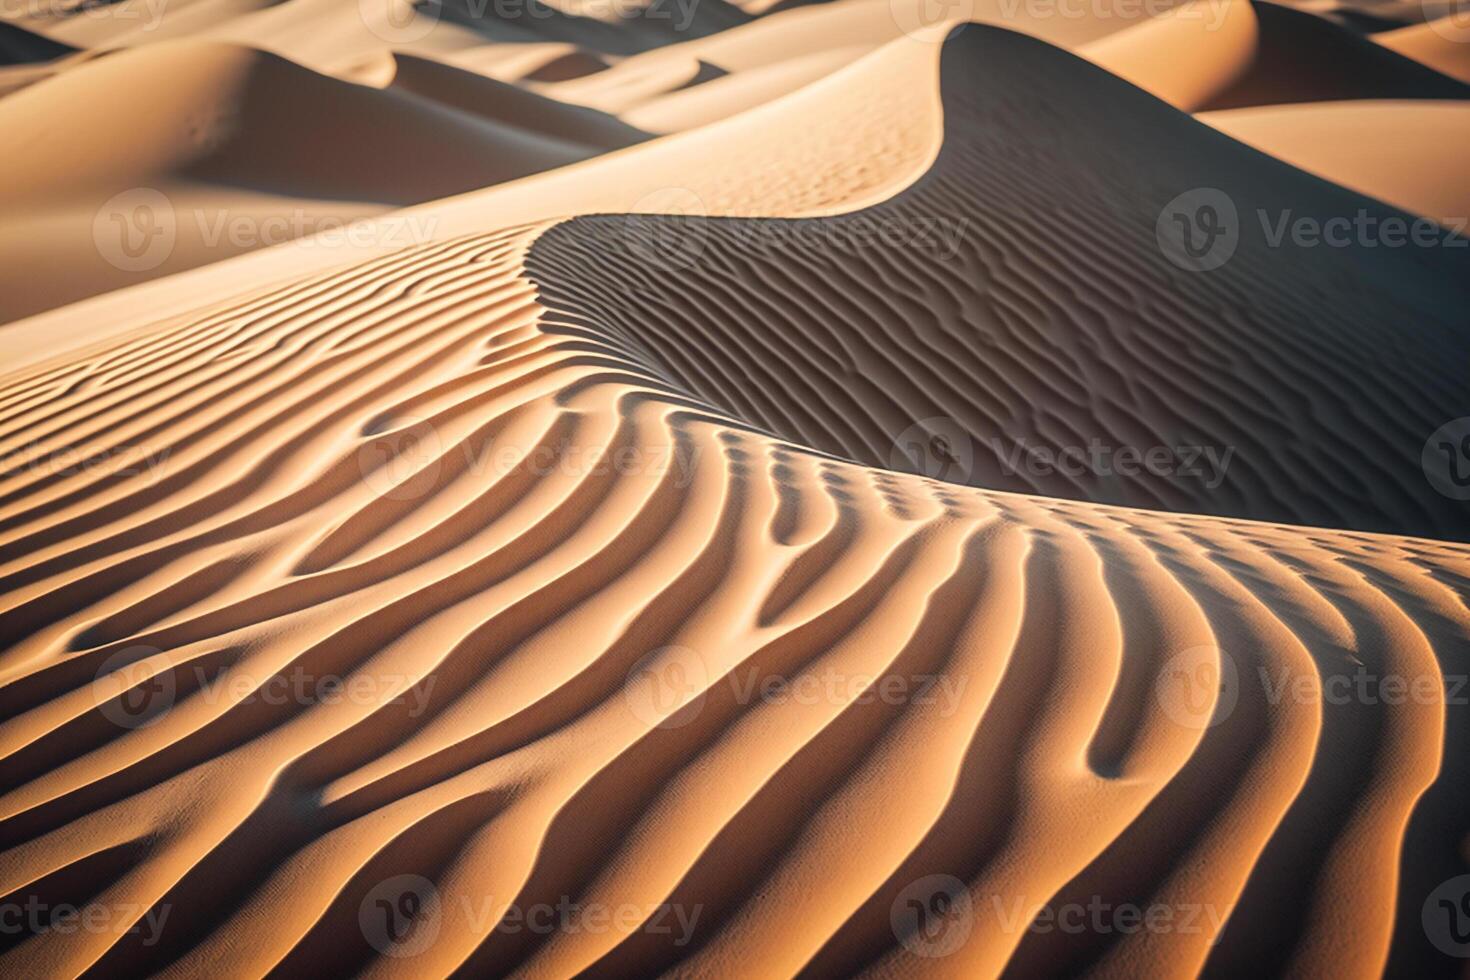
[[208, 146]]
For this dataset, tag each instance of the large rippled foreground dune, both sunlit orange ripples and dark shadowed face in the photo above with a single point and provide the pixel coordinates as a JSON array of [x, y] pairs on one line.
[[614, 628]]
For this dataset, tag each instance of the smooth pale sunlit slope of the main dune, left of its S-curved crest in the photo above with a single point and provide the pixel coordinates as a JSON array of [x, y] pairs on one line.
[[845, 142]]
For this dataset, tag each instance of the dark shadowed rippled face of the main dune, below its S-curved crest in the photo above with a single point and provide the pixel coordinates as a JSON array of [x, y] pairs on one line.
[[1015, 320]]
